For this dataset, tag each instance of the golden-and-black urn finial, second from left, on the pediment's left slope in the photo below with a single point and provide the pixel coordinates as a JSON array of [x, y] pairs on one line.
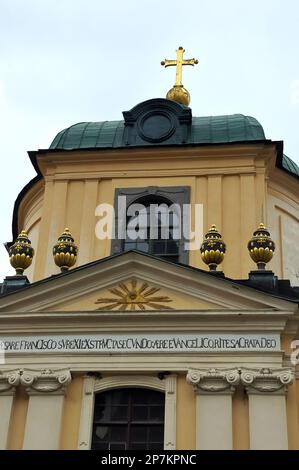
[[65, 251]]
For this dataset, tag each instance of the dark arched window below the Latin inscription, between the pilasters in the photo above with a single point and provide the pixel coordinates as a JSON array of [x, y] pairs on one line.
[[128, 418]]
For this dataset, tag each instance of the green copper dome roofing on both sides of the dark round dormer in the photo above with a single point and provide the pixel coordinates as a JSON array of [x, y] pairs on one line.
[[204, 130]]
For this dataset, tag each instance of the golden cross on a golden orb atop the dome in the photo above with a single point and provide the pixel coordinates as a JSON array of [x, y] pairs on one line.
[[178, 93]]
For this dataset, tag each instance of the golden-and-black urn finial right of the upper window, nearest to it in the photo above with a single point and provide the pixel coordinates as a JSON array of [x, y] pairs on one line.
[[213, 248]]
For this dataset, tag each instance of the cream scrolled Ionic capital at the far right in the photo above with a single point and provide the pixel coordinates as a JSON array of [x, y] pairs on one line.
[[266, 380]]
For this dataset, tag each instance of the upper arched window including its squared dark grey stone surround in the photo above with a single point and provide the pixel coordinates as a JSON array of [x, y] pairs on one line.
[[173, 198]]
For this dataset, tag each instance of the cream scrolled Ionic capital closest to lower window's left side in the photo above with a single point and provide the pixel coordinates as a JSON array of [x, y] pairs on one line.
[[45, 380]]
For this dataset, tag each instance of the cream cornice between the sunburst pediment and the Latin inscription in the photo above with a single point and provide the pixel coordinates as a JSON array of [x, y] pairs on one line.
[[240, 321]]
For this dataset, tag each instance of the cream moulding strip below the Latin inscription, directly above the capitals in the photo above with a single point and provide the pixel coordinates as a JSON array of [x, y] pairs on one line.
[[143, 363]]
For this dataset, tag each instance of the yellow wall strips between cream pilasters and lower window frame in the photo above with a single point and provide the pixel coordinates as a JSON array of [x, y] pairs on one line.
[[186, 416]]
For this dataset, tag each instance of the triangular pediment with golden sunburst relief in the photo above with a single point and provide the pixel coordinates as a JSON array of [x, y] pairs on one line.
[[136, 282]]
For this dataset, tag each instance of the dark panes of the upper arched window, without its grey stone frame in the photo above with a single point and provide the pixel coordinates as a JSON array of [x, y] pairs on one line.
[[153, 226]]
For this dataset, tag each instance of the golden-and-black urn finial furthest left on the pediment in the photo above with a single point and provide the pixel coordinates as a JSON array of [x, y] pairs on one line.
[[21, 253]]
